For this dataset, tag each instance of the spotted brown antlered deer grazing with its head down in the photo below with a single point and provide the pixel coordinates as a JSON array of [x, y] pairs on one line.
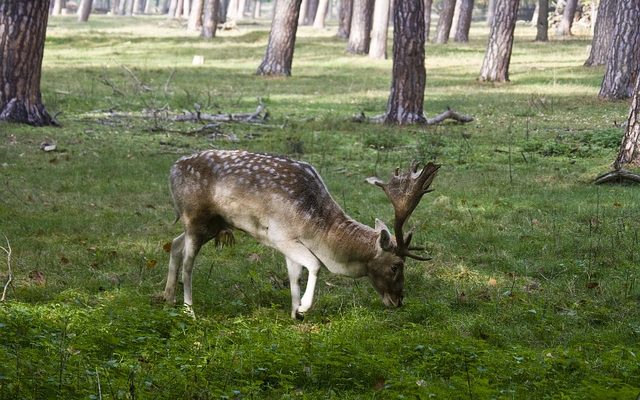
[[285, 205]]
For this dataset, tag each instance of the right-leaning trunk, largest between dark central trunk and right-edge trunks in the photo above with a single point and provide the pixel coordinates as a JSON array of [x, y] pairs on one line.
[[495, 67]]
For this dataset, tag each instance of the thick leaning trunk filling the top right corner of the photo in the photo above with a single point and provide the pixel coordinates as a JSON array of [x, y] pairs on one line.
[[622, 63]]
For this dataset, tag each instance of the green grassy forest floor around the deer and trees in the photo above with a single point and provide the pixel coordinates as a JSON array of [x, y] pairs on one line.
[[532, 291]]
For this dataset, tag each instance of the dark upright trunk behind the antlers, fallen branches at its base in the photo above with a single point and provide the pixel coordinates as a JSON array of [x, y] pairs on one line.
[[406, 98]]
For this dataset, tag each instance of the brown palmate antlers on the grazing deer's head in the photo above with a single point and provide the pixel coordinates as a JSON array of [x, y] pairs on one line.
[[405, 190]]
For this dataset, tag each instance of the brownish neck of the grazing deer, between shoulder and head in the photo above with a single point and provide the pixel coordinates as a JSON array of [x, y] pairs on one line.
[[345, 246]]
